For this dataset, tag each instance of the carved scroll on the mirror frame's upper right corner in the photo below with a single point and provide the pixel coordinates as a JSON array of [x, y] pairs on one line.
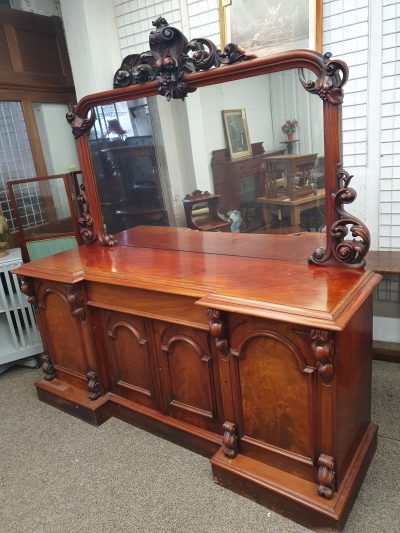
[[329, 85]]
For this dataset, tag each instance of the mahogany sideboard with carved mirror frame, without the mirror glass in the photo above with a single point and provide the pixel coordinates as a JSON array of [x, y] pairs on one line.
[[234, 345]]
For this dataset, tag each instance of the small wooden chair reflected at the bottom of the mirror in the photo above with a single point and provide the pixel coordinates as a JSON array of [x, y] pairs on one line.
[[201, 210]]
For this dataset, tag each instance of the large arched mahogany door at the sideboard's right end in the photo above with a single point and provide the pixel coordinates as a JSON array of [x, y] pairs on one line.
[[276, 393]]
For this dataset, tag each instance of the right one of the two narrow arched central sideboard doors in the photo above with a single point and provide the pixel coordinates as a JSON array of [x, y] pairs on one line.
[[189, 375]]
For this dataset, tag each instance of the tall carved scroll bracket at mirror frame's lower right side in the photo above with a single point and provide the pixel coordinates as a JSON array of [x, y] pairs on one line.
[[351, 252]]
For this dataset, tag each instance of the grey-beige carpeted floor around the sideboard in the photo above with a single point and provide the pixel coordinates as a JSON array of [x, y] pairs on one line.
[[60, 475]]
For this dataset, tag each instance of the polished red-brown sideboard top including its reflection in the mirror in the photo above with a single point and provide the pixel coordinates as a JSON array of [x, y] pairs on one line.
[[287, 289]]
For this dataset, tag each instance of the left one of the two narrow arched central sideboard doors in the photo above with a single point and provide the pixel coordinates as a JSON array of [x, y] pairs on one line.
[[127, 358]]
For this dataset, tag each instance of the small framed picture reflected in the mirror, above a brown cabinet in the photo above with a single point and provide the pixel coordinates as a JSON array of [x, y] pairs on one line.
[[237, 133]]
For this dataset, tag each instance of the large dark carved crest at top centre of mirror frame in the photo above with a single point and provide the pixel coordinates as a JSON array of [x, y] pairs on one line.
[[170, 58]]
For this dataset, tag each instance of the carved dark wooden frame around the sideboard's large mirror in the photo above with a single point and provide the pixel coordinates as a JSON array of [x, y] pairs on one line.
[[175, 67]]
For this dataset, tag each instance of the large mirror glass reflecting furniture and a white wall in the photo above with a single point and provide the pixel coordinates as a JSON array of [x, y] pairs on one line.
[[242, 156]]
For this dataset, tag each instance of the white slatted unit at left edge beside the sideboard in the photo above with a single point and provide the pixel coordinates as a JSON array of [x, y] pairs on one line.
[[19, 336]]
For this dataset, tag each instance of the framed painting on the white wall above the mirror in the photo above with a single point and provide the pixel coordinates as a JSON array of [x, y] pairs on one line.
[[265, 27]]
